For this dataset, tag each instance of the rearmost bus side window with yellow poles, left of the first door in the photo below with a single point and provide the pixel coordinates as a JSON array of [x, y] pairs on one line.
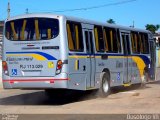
[[75, 39]]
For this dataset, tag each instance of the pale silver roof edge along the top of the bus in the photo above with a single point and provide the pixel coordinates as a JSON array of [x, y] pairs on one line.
[[76, 19]]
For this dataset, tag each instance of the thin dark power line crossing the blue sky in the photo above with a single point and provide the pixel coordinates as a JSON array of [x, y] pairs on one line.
[[96, 7]]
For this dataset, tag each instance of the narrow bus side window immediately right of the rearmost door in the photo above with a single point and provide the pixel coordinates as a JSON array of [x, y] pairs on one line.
[[99, 38]]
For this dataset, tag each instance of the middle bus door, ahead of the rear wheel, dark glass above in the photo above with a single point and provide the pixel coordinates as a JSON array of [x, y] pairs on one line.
[[127, 69]]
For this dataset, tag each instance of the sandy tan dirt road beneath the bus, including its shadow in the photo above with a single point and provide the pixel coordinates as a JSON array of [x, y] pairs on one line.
[[146, 100]]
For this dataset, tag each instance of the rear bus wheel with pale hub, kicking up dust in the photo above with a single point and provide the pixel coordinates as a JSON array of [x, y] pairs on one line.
[[104, 89]]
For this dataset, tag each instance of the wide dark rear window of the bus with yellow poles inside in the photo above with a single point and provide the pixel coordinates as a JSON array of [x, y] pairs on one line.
[[32, 29]]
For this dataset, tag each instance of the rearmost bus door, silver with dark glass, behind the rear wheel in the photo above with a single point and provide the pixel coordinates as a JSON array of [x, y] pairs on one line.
[[90, 59]]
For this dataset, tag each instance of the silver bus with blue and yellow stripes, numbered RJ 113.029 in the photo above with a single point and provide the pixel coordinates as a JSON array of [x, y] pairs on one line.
[[57, 52]]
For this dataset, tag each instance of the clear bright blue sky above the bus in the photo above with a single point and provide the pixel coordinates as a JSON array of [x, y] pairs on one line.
[[142, 12]]
